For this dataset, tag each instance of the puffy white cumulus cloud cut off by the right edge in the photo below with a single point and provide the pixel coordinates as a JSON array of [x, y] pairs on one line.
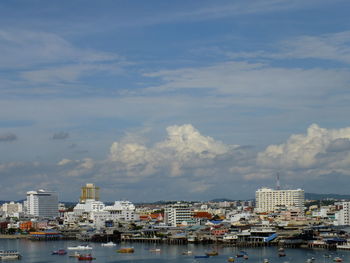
[[303, 150]]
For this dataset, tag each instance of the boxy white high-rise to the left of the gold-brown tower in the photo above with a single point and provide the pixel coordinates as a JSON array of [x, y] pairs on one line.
[[42, 203]]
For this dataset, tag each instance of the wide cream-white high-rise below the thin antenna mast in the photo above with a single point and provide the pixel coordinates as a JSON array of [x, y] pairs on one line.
[[268, 199]]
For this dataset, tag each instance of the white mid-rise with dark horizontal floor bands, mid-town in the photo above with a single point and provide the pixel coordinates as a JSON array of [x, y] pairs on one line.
[[178, 214]]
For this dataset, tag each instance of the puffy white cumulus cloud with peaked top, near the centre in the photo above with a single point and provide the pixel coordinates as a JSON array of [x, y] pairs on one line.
[[183, 147]]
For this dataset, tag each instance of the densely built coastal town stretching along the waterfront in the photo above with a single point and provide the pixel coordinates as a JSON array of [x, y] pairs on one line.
[[277, 217]]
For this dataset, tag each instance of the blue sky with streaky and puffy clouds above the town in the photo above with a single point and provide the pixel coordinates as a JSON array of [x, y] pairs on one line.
[[174, 100]]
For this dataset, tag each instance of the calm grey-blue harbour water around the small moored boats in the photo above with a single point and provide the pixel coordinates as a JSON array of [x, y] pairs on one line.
[[35, 251]]
